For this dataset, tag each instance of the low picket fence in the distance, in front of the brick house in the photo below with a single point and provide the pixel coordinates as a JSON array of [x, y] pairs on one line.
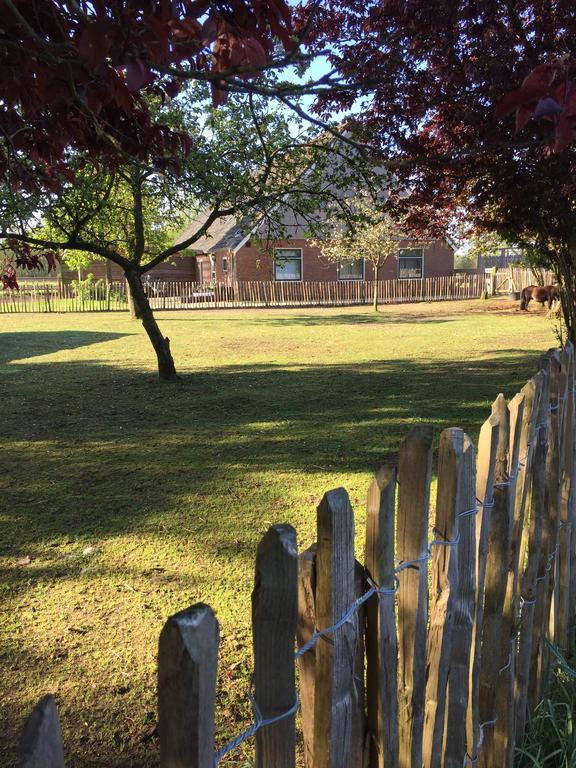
[[174, 294]]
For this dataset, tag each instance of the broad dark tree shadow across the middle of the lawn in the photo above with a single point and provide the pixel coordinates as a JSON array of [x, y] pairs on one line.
[[114, 449]]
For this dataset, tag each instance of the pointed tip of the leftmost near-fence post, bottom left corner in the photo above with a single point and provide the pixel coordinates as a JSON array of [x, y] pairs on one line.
[[41, 740]]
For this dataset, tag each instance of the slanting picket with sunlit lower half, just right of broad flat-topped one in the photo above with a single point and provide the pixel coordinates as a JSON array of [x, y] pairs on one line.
[[442, 594]]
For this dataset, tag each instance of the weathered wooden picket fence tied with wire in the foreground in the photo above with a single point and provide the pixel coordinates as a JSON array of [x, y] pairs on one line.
[[433, 652]]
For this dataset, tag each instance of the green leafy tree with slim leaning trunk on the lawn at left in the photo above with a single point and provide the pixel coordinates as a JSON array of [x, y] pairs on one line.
[[244, 160]]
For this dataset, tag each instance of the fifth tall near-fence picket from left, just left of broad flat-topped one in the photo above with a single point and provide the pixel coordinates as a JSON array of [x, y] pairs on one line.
[[381, 639]]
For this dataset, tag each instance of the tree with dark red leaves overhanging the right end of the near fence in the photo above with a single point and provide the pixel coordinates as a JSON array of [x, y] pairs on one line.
[[444, 78]]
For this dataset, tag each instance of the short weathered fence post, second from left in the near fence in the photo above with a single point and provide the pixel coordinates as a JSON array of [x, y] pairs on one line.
[[187, 666]]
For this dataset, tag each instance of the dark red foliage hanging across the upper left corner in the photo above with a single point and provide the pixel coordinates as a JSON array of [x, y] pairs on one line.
[[73, 74]]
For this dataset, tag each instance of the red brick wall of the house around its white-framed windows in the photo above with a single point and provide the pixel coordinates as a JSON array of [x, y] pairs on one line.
[[253, 264]]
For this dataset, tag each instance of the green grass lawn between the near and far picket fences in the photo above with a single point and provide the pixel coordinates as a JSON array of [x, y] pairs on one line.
[[124, 500]]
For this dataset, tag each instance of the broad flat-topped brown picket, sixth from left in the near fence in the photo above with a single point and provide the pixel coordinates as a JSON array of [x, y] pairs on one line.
[[414, 473]]
